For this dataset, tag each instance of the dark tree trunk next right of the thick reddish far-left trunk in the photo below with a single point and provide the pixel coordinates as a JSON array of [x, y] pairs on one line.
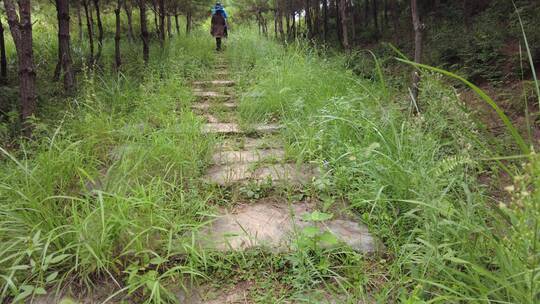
[[64, 46]]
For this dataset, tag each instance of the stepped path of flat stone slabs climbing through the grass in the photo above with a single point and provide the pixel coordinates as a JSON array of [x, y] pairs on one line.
[[245, 157]]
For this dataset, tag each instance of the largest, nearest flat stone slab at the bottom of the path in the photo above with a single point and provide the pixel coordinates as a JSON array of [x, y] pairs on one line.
[[275, 226]]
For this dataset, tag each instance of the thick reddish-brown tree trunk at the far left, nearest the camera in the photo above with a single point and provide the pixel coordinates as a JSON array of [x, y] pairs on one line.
[[21, 30]]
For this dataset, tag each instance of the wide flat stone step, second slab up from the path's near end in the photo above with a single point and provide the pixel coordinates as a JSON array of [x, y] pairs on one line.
[[242, 173]]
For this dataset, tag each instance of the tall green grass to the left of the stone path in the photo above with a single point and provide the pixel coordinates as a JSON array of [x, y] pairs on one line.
[[108, 182]]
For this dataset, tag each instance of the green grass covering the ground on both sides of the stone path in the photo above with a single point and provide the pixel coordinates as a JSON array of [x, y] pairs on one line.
[[108, 191]]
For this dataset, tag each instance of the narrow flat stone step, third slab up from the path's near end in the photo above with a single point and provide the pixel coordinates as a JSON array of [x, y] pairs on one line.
[[246, 156]]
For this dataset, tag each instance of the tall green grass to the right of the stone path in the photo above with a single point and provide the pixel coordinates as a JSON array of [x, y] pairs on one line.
[[413, 180]]
